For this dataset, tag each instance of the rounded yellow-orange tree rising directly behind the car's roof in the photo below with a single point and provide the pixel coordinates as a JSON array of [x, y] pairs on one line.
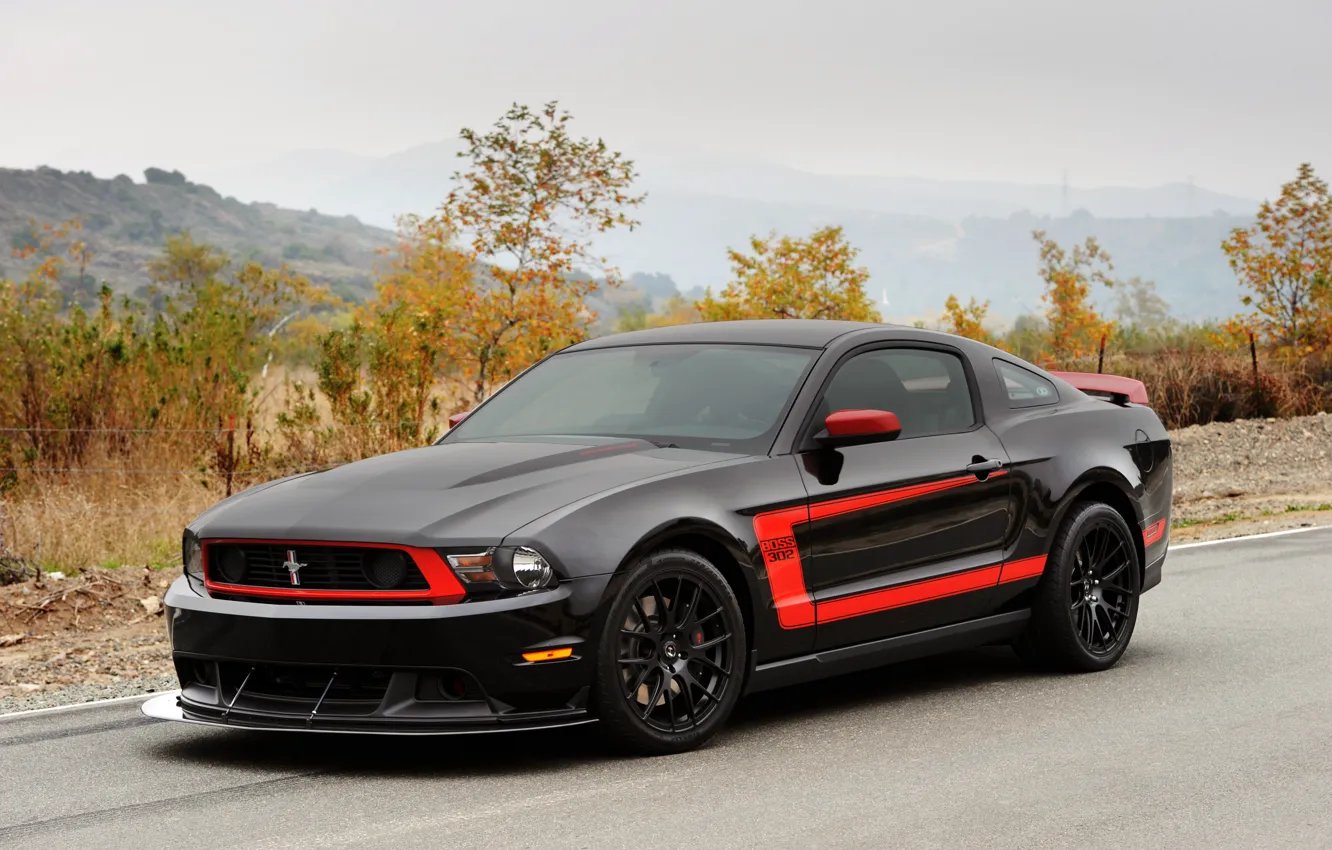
[[789, 278]]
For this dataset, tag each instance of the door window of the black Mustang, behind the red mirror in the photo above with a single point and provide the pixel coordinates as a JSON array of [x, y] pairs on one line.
[[925, 388]]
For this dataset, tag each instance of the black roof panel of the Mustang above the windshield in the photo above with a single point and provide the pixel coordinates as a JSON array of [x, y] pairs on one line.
[[803, 332]]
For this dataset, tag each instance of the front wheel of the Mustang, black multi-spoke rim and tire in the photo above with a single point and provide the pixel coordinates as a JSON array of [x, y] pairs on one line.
[[672, 656]]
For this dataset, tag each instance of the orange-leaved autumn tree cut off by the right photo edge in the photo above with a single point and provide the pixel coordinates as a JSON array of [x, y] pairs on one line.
[[1285, 262]]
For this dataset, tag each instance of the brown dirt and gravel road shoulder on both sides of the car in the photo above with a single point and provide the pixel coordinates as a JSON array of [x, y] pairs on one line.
[[102, 641]]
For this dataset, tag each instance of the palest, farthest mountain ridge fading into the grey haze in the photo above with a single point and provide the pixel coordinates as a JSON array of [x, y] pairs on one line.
[[416, 181]]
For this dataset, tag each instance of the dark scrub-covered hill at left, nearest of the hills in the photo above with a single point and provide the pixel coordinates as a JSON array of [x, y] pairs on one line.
[[126, 224]]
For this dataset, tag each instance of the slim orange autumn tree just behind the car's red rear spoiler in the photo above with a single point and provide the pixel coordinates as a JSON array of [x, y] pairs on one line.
[[1076, 328]]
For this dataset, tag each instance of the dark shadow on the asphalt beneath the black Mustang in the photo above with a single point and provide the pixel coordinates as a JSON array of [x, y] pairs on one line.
[[563, 749]]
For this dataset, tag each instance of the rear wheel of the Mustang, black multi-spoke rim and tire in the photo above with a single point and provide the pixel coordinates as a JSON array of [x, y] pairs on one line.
[[1084, 619]]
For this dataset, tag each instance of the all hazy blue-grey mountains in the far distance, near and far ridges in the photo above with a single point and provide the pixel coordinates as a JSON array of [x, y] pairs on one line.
[[921, 239]]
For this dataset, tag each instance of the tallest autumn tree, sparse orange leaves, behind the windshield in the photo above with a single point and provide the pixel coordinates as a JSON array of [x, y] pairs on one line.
[[524, 216]]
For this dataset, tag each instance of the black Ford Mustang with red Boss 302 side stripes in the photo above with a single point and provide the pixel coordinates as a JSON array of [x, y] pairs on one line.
[[645, 527]]
